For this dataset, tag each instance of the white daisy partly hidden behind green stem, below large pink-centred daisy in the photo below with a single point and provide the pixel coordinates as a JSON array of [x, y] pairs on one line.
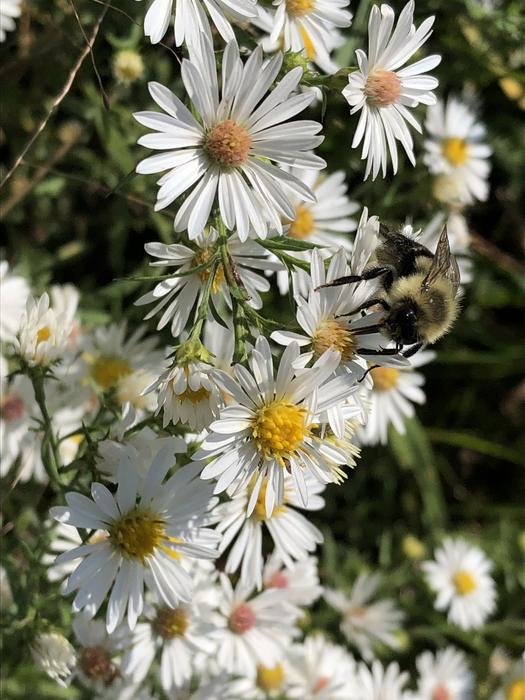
[[178, 296]]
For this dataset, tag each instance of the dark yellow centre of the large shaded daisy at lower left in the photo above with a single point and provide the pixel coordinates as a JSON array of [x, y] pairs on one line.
[[137, 533]]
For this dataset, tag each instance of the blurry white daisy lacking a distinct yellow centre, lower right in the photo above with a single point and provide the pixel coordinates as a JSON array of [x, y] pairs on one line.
[[366, 623]]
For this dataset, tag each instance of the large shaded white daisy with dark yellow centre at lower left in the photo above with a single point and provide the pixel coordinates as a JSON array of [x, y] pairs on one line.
[[151, 526]]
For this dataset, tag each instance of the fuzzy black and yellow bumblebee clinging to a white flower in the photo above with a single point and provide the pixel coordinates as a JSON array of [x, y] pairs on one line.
[[419, 290]]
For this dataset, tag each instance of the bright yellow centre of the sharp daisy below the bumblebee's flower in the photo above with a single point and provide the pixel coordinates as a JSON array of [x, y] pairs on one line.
[[280, 427]]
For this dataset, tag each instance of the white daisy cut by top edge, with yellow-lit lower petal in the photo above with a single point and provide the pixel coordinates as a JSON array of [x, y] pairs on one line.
[[308, 25]]
